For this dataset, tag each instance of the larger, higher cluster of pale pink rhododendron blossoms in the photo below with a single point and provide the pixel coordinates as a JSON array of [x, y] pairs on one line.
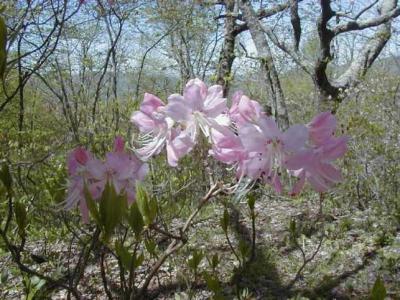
[[243, 136]]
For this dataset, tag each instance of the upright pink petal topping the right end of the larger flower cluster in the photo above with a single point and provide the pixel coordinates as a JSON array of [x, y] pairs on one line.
[[322, 127]]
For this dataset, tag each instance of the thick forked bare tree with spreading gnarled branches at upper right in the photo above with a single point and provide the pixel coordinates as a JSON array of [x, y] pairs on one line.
[[330, 89]]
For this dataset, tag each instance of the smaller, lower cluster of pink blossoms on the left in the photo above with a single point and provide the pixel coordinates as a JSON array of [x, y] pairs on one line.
[[120, 168]]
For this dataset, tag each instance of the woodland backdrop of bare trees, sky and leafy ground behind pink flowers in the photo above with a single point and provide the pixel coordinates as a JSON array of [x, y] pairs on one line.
[[72, 73]]
